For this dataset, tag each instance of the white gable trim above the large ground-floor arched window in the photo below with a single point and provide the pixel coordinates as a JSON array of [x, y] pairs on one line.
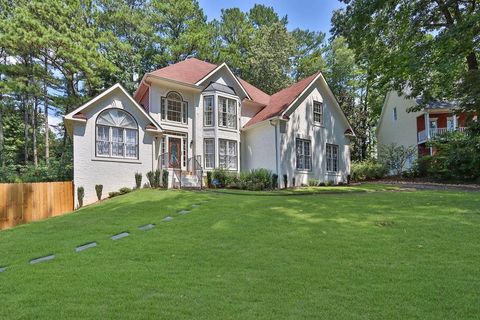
[[78, 115]]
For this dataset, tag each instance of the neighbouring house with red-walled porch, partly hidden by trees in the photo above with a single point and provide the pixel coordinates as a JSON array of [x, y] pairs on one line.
[[398, 126]]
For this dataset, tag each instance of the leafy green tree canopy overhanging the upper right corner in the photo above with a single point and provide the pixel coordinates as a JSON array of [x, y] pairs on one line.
[[430, 46]]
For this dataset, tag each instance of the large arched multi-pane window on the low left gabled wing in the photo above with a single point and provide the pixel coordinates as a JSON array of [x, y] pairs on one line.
[[117, 134]]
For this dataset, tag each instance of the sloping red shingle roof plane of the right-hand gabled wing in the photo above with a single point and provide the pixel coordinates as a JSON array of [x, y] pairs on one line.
[[281, 100]]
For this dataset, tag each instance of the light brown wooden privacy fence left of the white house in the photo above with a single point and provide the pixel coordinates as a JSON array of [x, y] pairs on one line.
[[25, 202]]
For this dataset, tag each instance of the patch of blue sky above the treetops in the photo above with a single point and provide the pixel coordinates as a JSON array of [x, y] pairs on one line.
[[304, 14]]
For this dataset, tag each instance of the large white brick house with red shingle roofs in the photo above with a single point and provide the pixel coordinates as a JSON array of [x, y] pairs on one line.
[[194, 116]]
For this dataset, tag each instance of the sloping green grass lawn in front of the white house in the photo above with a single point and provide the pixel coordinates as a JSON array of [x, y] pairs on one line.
[[375, 254]]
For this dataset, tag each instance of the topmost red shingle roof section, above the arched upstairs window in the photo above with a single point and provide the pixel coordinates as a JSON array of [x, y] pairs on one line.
[[189, 71]]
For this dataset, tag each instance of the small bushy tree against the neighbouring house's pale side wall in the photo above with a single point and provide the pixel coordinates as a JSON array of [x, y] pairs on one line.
[[395, 157]]
